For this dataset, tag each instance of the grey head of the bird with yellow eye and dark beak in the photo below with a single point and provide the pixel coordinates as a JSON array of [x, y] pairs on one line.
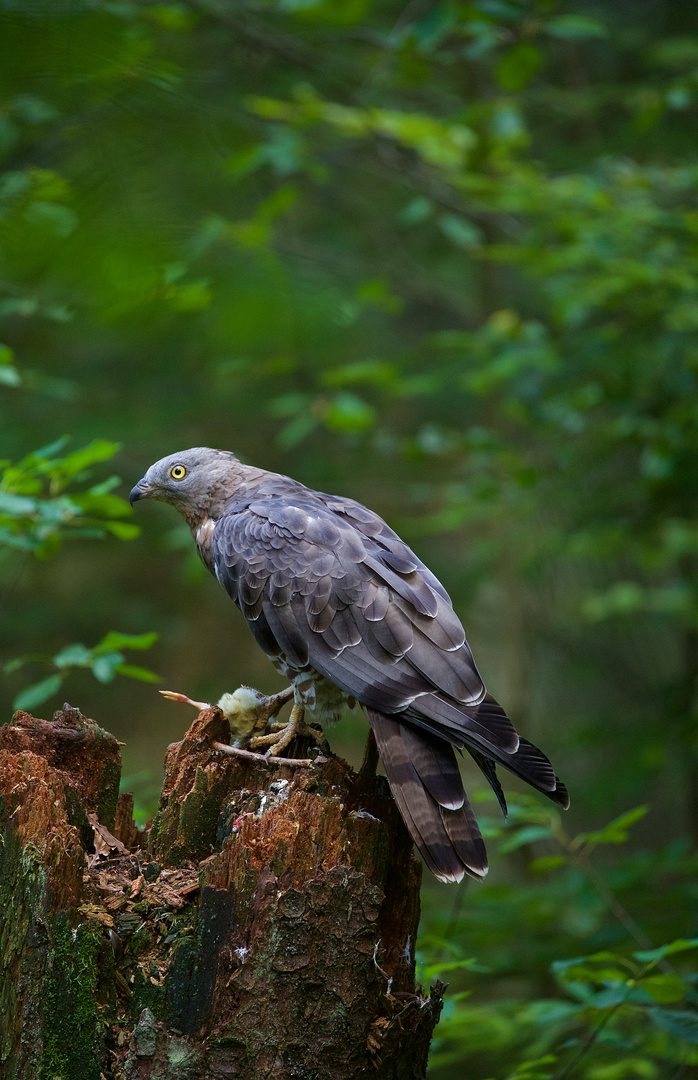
[[193, 481]]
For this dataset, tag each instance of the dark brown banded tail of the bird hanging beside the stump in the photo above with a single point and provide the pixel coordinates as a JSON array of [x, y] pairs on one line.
[[449, 840]]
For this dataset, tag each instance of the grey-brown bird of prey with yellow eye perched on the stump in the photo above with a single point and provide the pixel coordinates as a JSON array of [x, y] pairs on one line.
[[348, 614]]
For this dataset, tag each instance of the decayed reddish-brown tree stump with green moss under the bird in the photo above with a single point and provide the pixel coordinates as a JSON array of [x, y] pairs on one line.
[[264, 927]]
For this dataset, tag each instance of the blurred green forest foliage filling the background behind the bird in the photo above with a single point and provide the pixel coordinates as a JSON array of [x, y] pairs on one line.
[[442, 258]]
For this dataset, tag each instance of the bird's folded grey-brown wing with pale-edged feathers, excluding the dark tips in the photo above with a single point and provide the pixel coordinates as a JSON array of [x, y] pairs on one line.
[[346, 596]]
